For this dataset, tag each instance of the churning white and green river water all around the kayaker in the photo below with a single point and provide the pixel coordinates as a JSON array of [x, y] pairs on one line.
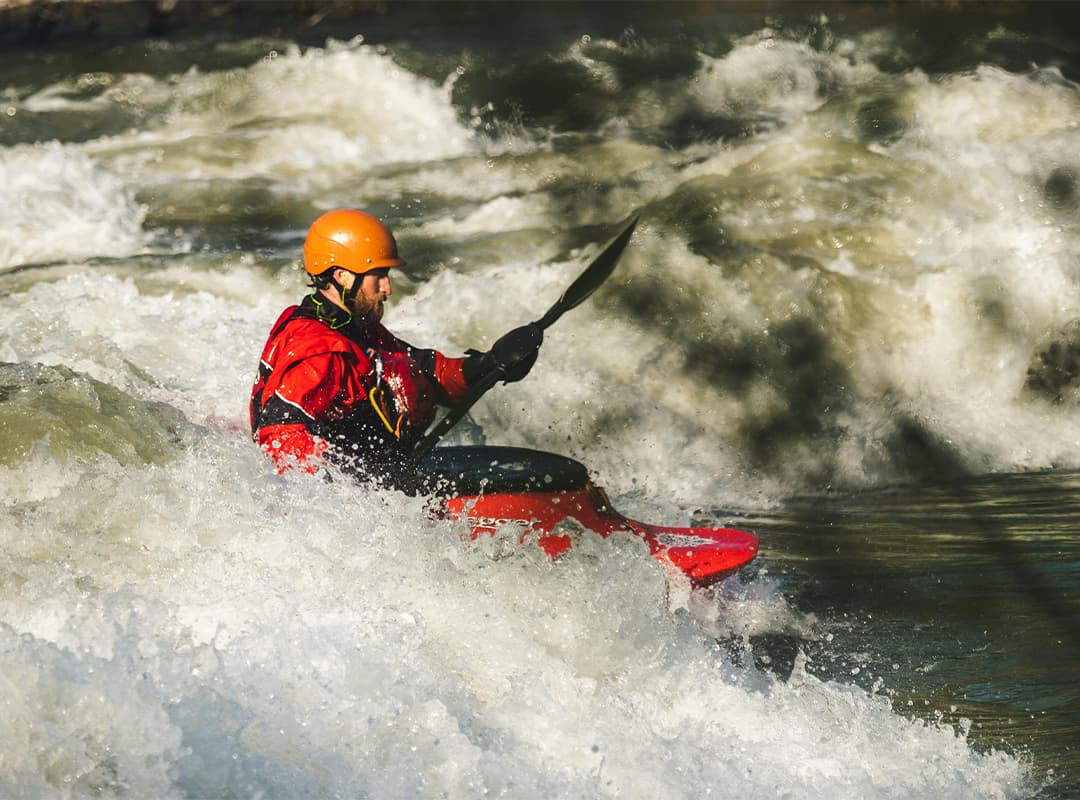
[[849, 321]]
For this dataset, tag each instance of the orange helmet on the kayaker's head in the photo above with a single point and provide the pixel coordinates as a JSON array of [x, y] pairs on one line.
[[350, 240]]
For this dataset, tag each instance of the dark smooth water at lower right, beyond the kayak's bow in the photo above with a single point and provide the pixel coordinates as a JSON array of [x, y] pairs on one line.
[[958, 601]]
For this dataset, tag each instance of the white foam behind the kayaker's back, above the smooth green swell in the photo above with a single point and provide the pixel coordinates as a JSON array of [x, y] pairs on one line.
[[195, 350]]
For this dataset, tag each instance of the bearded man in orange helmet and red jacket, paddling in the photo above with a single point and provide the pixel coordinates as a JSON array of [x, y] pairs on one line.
[[335, 386]]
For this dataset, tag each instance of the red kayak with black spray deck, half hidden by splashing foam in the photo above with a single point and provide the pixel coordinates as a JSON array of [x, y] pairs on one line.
[[496, 486]]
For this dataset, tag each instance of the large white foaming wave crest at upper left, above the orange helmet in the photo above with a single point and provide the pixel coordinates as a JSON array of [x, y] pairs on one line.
[[300, 117]]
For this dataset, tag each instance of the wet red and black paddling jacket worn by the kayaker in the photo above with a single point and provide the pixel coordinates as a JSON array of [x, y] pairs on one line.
[[356, 397]]
